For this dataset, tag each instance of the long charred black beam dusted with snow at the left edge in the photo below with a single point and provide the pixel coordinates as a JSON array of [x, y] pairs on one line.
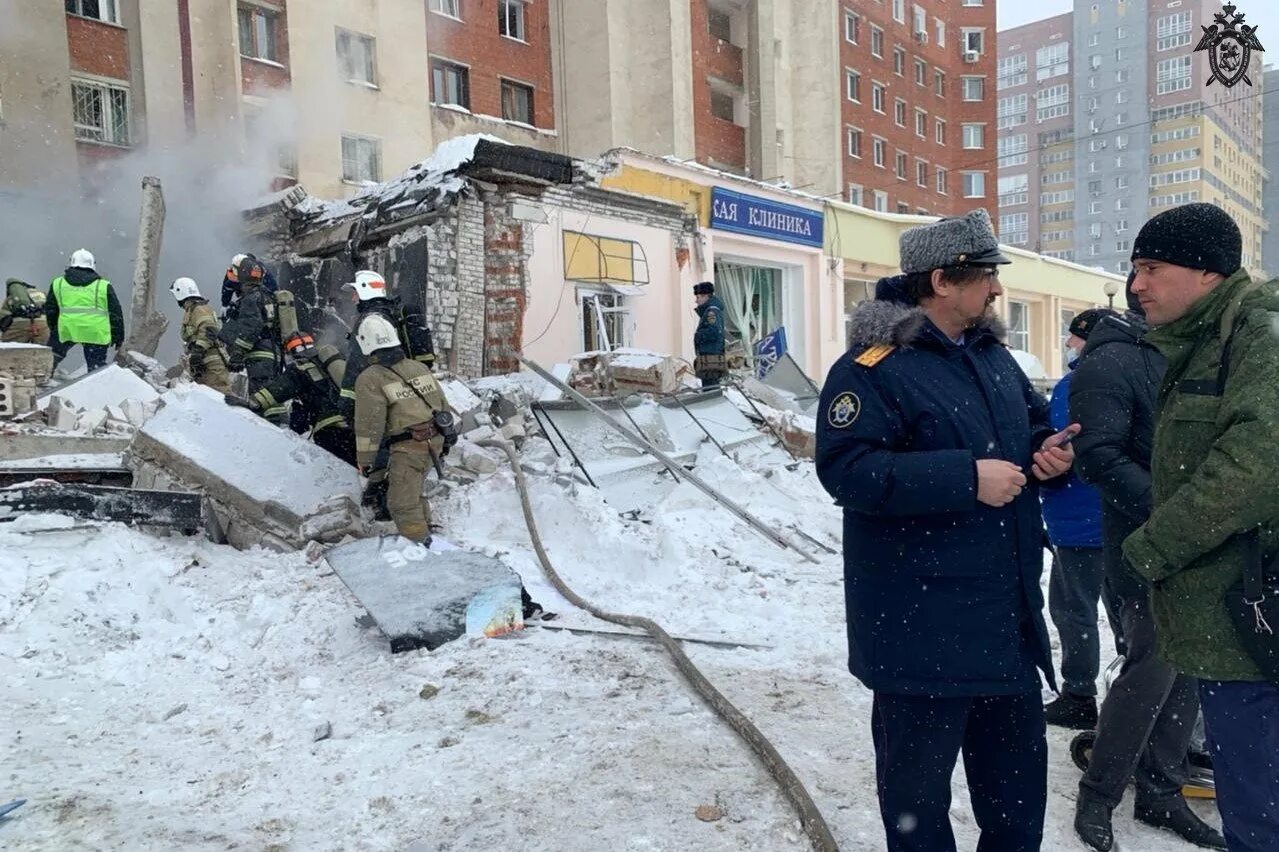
[[175, 510]]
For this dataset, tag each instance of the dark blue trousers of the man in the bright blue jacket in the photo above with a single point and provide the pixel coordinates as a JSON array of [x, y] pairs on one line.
[[1075, 587]]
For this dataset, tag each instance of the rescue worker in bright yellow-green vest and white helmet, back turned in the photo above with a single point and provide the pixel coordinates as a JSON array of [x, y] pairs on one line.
[[81, 308]]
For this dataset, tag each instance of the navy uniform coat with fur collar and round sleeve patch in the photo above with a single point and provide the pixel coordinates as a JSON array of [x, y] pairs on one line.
[[943, 592]]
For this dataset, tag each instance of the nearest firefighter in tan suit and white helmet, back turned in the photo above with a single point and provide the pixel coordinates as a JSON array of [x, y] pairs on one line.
[[404, 423]]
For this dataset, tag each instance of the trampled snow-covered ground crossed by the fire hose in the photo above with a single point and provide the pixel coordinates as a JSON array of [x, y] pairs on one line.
[[166, 694]]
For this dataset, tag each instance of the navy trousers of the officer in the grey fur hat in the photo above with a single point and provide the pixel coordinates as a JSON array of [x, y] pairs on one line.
[[1005, 746]]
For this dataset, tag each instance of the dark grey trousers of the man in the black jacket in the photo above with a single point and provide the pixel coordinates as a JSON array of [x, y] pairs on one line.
[[1147, 721]]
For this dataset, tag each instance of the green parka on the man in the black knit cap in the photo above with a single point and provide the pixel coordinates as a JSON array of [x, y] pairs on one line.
[[1216, 470]]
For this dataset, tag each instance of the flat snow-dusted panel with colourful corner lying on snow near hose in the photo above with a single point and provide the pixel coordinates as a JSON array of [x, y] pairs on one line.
[[424, 598]]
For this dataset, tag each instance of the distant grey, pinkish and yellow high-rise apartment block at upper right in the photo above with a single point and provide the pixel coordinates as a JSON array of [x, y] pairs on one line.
[[1127, 127]]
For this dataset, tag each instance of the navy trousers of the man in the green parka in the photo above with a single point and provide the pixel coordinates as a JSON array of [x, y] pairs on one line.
[[1243, 722]]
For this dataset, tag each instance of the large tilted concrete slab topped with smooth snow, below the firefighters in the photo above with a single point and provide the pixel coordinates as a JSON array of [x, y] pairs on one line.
[[267, 487]]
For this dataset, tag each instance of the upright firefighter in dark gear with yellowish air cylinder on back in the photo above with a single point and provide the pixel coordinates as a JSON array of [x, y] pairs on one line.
[[250, 335]]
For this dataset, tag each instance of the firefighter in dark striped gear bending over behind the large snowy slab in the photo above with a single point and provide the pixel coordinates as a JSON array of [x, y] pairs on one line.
[[311, 381]]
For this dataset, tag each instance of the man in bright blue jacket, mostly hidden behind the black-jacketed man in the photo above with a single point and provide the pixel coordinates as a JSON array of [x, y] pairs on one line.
[[1072, 515]]
